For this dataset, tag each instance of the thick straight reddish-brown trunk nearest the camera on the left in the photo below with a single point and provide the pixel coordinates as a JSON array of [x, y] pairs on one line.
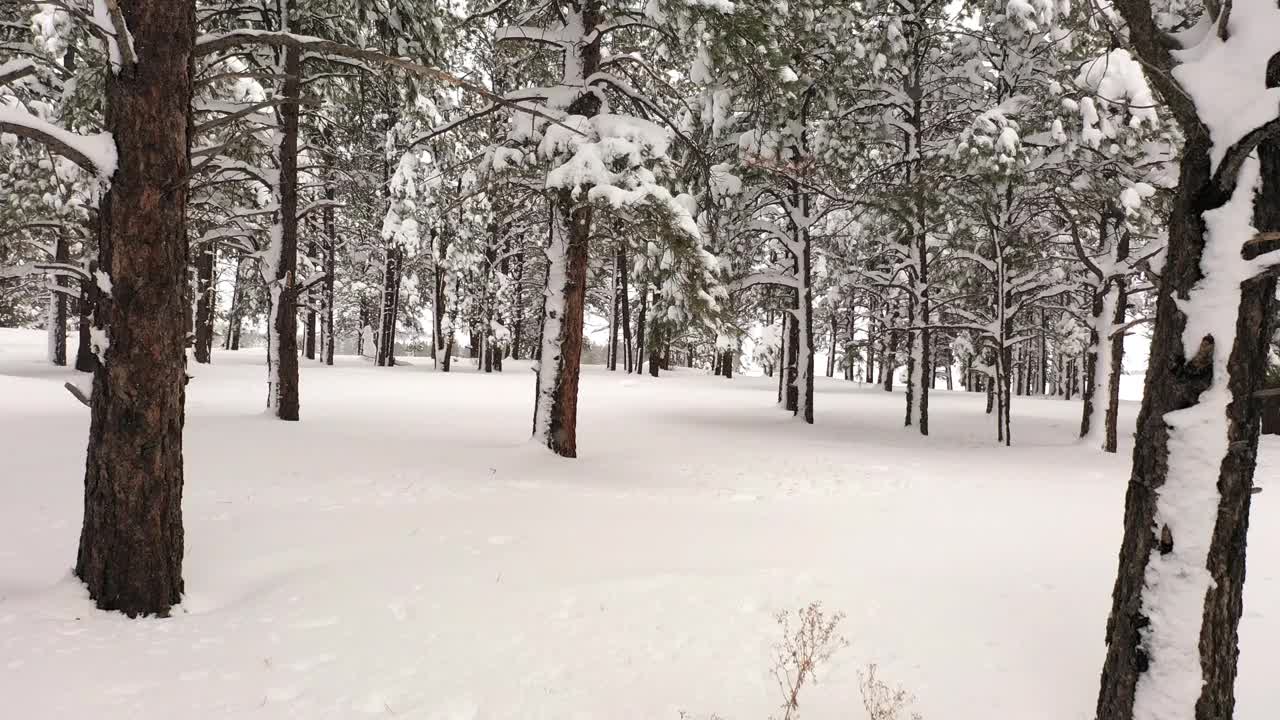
[[131, 543]]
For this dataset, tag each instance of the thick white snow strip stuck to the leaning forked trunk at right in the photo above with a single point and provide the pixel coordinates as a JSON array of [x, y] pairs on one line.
[[1227, 81]]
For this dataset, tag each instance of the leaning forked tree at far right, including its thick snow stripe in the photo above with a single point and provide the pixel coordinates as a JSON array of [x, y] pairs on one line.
[[1173, 631]]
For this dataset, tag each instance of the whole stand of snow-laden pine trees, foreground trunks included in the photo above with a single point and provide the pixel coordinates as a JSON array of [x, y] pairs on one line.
[[999, 192]]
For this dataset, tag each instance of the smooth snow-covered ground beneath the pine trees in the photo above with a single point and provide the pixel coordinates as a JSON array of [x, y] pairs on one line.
[[404, 552]]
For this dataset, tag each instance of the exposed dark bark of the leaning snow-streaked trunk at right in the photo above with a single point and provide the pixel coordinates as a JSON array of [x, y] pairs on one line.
[[1176, 382]]
